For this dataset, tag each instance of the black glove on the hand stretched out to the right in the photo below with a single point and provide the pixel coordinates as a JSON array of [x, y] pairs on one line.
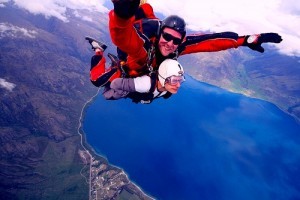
[[254, 41]]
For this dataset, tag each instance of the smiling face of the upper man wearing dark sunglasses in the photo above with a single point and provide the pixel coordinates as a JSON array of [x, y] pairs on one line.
[[166, 47]]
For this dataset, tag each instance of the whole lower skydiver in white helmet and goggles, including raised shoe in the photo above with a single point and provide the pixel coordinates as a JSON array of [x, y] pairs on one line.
[[143, 89]]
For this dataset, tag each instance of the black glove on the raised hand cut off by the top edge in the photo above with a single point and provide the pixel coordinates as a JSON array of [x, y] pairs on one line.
[[126, 8]]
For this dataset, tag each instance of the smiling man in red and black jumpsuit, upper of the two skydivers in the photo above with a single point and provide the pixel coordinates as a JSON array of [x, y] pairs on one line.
[[146, 43]]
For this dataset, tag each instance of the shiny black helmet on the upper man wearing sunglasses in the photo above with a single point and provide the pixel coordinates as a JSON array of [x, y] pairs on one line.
[[174, 22]]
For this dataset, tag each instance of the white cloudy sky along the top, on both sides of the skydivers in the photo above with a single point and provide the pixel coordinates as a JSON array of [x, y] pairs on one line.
[[241, 16]]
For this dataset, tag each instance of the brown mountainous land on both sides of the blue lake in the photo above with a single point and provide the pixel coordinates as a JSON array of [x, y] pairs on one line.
[[44, 74]]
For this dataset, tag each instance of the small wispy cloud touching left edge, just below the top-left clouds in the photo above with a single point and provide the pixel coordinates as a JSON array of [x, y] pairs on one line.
[[9, 30]]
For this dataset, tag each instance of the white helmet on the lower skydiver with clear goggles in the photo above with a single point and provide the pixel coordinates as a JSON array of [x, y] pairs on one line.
[[168, 68]]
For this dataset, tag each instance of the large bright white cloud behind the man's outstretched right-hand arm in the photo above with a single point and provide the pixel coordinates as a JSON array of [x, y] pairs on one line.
[[243, 17]]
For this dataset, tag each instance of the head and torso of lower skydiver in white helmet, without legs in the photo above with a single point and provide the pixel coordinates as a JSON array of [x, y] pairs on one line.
[[144, 89]]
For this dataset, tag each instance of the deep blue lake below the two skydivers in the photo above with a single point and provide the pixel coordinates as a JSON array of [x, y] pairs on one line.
[[203, 143]]
